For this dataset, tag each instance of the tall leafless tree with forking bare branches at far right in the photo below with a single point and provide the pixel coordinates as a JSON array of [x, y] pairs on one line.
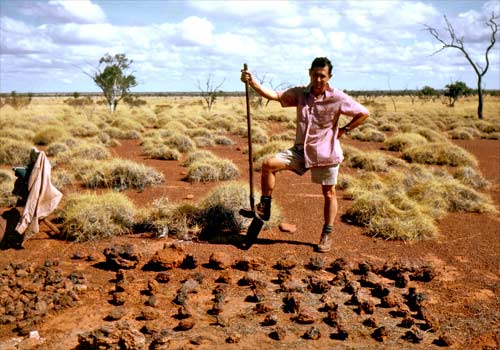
[[458, 43]]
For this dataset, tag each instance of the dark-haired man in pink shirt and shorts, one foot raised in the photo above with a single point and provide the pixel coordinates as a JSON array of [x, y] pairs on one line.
[[317, 145]]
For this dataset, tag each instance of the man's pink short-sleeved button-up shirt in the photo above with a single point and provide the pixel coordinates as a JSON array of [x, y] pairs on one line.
[[317, 122]]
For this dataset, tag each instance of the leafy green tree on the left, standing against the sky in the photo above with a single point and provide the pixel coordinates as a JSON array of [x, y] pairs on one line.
[[113, 78]]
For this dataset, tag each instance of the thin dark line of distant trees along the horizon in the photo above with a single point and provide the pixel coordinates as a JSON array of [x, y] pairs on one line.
[[354, 93]]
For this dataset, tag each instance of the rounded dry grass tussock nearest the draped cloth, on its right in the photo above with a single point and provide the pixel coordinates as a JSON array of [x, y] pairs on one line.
[[90, 217]]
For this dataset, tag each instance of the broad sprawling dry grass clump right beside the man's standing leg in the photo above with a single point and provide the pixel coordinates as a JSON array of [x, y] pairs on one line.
[[405, 205]]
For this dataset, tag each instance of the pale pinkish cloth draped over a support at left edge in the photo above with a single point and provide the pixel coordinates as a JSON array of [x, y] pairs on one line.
[[43, 197]]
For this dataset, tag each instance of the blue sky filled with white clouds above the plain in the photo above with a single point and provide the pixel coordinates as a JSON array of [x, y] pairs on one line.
[[47, 46]]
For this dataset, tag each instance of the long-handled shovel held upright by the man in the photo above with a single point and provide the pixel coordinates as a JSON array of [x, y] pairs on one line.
[[256, 224]]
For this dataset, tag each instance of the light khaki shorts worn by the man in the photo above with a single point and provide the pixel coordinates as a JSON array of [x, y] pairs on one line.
[[294, 158]]
